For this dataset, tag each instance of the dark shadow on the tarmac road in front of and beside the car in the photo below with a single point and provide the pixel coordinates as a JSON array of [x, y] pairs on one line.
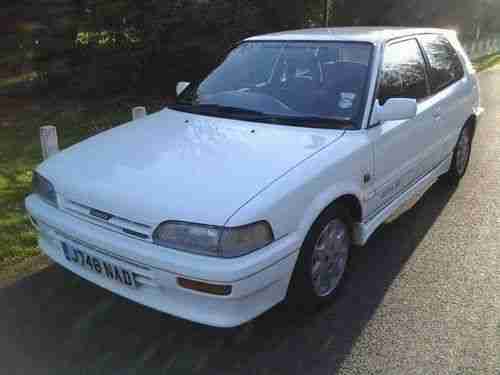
[[54, 322]]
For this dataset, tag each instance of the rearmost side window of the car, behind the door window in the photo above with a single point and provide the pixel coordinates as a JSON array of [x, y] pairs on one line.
[[445, 65]]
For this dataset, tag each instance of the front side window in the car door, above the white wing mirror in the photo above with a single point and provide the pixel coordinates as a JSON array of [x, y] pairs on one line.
[[403, 72]]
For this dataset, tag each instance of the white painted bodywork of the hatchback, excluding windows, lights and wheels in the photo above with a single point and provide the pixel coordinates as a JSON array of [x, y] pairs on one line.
[[186, 167]]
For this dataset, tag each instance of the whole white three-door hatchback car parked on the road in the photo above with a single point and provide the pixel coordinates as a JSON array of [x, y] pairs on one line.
[[256, 183]]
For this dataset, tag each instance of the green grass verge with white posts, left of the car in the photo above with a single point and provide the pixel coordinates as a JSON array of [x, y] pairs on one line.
[[20, 153]]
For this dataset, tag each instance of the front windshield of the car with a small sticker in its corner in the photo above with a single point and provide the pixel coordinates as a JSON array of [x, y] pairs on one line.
[[313, 84]]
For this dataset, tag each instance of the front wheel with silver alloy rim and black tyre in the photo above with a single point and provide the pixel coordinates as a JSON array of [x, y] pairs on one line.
[[306, 292]]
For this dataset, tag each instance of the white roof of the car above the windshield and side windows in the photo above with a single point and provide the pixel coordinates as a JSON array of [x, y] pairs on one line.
[[359, 34]]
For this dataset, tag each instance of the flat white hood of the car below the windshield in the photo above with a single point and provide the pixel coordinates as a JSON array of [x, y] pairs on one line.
[[179, 166]]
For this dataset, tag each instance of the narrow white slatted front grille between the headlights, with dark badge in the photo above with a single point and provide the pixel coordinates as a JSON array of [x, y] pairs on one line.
[[109, 221]]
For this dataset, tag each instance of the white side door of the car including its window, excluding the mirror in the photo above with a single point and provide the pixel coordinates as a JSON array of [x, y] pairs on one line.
[[405, 150]]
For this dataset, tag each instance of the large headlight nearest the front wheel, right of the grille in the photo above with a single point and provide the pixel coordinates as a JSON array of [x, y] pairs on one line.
[[212, 240]]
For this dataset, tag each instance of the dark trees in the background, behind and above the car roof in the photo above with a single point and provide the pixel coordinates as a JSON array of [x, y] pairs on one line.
[[116, 45]]
